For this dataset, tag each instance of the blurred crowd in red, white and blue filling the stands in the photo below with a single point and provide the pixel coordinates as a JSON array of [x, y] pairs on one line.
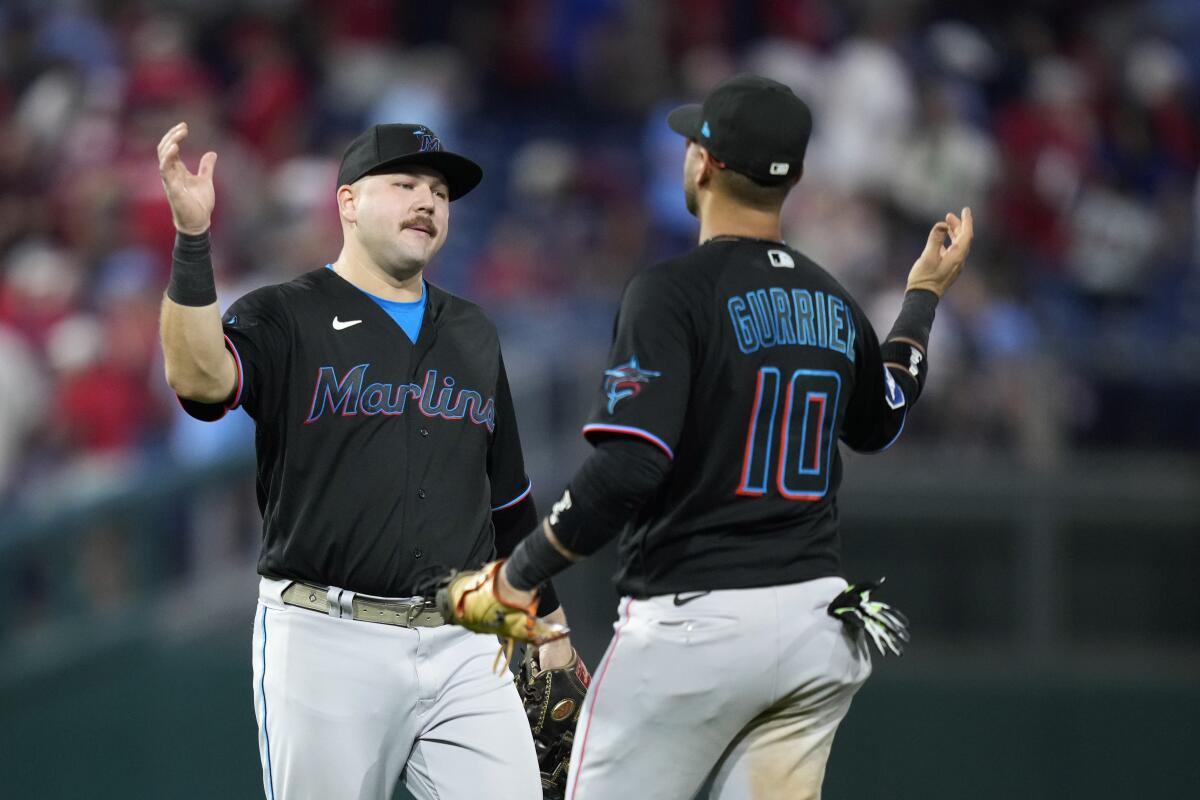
[[1072, 130]]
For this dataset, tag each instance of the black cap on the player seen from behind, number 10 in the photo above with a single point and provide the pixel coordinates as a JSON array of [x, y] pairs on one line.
[[754, 125]]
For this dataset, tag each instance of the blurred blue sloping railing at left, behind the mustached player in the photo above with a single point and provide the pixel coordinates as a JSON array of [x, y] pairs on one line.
[[81, 576]]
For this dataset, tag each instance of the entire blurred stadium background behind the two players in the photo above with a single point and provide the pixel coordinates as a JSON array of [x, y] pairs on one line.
[[1040, 522]]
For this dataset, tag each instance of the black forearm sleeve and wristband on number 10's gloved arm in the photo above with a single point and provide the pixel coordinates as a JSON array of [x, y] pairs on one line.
[[620, 476]]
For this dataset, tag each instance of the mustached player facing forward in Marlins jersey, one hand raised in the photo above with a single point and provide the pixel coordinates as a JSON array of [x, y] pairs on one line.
[[388, 452]]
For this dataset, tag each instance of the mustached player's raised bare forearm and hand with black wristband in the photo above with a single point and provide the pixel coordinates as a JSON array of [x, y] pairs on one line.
[[199, 366]]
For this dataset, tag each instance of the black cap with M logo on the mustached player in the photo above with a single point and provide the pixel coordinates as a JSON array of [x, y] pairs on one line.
[[393, 147]]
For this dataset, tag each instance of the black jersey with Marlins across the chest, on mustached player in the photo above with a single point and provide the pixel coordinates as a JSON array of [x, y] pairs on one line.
[[380, 461]]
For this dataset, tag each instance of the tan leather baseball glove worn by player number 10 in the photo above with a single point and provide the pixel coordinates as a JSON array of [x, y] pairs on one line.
[[469, 599]]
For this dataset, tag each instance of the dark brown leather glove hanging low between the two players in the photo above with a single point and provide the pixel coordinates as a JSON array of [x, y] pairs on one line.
[[554, 700]]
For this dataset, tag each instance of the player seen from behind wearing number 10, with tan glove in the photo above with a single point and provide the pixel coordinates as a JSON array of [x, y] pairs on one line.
[[736, 369]]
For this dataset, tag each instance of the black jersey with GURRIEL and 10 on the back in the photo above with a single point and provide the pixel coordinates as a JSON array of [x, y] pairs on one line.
[[746, 364]]
